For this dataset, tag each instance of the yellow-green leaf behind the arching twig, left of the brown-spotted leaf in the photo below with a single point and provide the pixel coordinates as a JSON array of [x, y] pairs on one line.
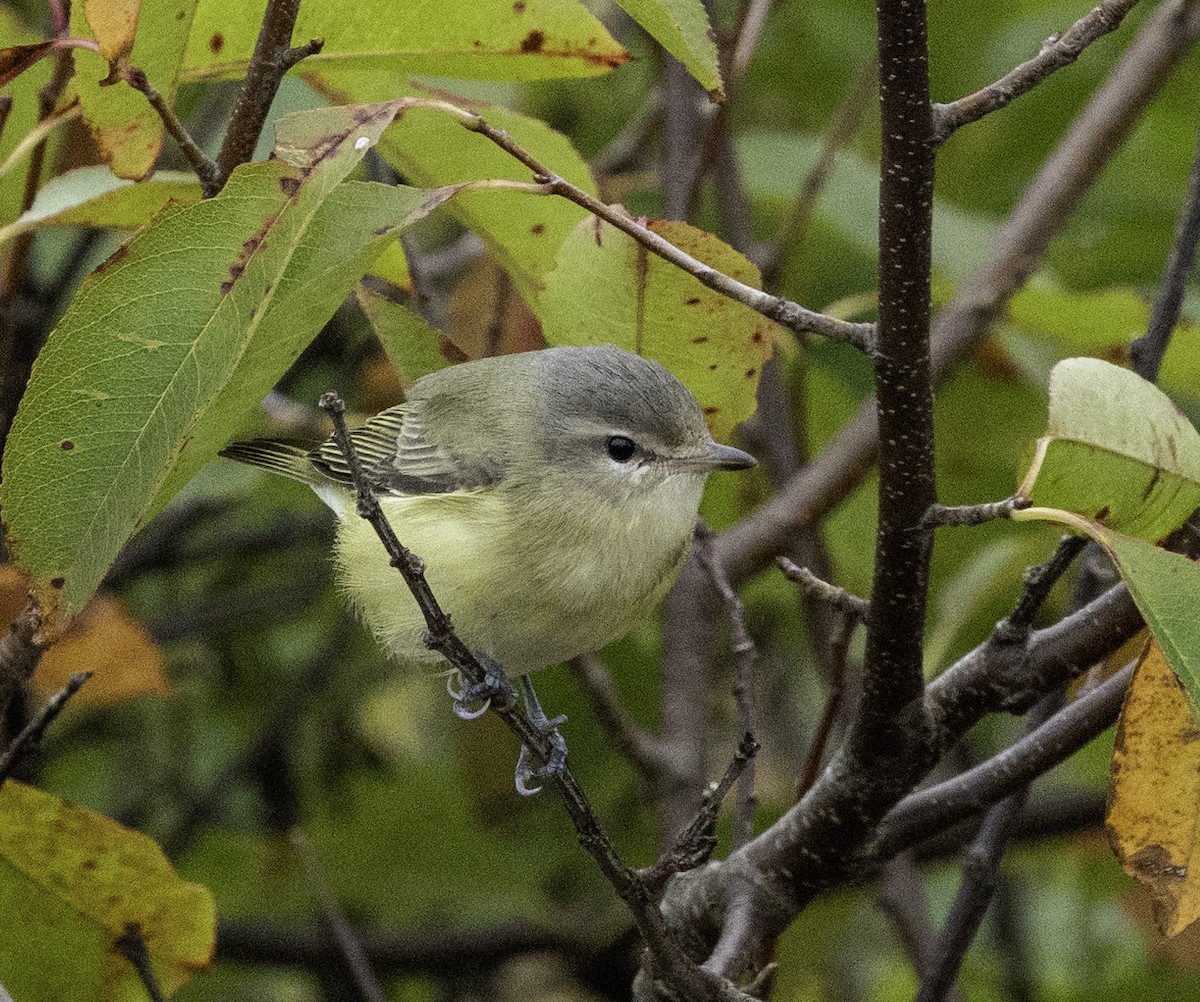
[[431, 148]]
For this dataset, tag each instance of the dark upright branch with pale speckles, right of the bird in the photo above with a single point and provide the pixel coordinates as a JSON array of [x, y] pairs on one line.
[[903, 385]]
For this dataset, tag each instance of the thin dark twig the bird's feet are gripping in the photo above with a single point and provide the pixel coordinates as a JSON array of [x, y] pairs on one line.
[[670, 961]]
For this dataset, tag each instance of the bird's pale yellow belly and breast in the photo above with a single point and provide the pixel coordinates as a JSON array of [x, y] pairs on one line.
[[523, 598]]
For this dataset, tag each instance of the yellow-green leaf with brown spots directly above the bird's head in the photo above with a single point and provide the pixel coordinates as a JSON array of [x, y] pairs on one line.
[[610, 290]]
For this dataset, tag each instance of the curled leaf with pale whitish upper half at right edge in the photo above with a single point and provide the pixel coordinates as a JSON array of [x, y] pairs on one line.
[[1117, 452]]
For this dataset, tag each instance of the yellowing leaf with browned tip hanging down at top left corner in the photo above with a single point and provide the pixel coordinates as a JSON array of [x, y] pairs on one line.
[[127, 129]]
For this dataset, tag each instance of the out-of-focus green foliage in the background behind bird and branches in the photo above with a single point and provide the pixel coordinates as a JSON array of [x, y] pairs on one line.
[[283, 712]]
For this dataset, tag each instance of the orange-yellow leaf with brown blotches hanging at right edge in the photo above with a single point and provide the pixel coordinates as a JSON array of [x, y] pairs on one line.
[[1155, 793]]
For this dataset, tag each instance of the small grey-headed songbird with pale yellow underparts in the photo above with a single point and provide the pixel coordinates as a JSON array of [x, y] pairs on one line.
[[553, 496]]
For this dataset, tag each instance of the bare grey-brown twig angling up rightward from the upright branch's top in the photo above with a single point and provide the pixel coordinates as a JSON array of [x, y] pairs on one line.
[[1057, 52]]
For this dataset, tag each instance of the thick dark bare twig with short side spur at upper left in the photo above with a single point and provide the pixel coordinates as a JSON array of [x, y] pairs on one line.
[[273, 58]]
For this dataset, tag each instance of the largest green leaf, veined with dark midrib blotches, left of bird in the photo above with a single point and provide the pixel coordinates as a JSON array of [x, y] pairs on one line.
[[178, 337]]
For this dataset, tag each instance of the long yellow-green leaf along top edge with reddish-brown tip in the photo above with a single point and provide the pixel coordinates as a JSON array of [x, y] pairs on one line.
[[495, 40]]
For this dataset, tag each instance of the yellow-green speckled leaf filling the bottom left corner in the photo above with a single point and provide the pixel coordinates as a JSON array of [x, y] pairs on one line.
[[71, 881]]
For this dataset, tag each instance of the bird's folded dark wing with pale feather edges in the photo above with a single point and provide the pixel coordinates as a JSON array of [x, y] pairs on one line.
[[400, 459]]
